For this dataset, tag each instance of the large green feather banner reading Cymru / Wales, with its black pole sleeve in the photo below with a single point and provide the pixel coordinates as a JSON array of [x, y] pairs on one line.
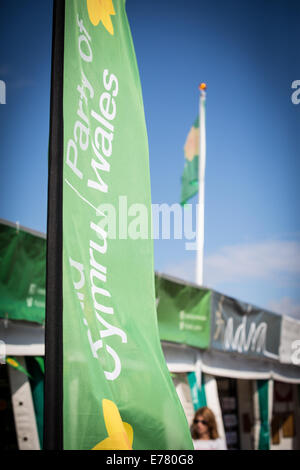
[[116, 391]]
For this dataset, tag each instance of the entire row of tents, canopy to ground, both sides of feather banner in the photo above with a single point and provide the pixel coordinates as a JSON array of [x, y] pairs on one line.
[[209, 341]]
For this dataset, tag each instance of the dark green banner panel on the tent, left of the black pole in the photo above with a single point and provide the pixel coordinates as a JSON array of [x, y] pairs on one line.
[[22, 273]]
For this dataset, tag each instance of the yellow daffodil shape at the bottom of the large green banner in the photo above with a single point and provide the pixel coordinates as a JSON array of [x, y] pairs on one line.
[[120, 434]]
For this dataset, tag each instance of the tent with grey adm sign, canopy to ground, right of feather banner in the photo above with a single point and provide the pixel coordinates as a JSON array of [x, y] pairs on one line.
[[232, 357]]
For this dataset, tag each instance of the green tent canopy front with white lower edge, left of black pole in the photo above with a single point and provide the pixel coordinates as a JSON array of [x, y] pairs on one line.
[[22, 289]]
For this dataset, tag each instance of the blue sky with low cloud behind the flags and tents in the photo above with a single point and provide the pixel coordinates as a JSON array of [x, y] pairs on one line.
[[248, 53]]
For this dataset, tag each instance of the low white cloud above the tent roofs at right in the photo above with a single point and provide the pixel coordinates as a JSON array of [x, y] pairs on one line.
[[276, 263]]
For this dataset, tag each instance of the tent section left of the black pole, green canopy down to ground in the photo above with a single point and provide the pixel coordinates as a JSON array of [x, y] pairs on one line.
[[22, 313]]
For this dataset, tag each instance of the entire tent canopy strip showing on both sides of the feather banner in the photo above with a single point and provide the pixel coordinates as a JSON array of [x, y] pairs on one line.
[[197, 325]]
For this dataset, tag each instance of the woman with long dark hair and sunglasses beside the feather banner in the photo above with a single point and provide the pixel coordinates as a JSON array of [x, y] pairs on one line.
[[204, 431]]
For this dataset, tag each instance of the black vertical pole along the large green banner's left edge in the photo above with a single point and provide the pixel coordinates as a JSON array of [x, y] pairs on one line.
[[53, 397]]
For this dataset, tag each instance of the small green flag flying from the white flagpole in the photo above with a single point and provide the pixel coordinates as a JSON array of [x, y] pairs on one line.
[[189, 179]]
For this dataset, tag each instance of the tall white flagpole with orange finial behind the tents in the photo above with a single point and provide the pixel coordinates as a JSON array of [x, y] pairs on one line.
[[201, 179]]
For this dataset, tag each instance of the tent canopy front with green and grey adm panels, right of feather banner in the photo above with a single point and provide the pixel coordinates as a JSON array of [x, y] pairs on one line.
[[200, 327]]
